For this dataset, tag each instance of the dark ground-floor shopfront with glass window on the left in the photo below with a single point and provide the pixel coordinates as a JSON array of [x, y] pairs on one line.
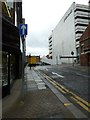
[[11, 56]]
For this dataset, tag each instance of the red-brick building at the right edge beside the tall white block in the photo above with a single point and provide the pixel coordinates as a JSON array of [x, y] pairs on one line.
[[85, 47]]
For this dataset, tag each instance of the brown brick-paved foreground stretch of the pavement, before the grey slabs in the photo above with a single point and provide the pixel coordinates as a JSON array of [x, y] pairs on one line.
[[38, 104]]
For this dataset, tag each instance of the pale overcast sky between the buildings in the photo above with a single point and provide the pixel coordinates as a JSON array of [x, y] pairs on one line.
[[42, 16]]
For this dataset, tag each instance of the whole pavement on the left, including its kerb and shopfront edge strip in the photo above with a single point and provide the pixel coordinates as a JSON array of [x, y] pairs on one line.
[[38, 100]]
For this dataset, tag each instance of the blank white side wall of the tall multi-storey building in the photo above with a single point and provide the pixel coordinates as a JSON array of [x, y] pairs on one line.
[[64, 37]]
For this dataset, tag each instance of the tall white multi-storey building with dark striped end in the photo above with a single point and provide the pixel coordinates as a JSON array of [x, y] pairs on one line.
[[65, 37]]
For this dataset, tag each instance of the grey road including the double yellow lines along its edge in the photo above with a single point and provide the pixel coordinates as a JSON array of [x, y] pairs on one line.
[[72, 82]]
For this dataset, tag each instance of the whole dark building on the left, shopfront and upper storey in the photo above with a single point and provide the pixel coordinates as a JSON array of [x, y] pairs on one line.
[[11, 53]]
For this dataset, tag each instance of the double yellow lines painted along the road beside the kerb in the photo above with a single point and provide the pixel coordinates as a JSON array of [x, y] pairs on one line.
[[75, 97]]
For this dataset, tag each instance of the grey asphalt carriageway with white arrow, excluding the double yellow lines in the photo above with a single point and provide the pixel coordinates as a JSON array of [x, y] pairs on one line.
[[75, 79]]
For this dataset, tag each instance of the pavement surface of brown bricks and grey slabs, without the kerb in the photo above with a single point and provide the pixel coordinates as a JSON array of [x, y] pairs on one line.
[[39, 101]]
